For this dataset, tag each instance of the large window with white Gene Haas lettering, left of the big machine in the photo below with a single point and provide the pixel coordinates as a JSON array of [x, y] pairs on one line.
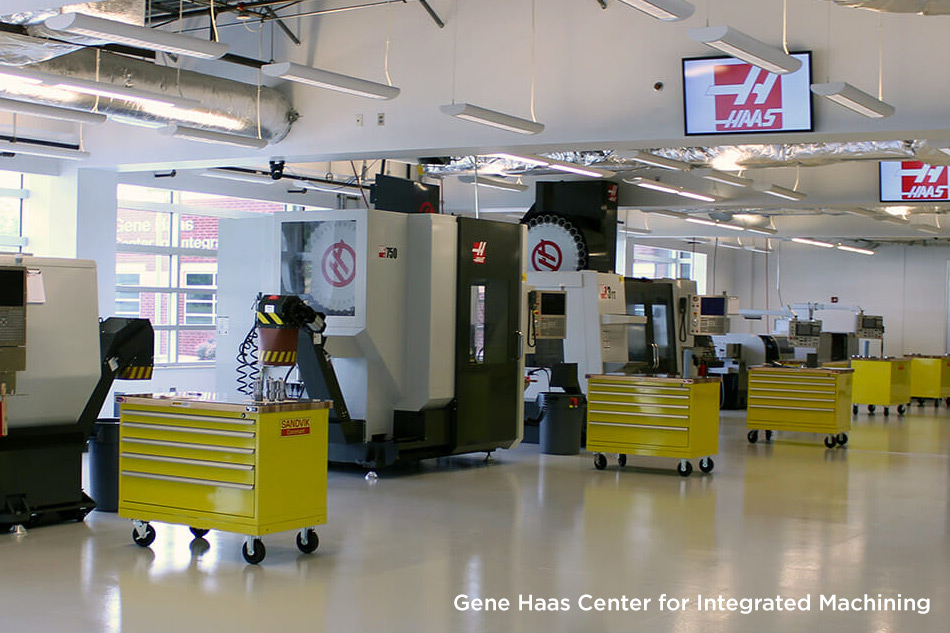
[[167, 265]]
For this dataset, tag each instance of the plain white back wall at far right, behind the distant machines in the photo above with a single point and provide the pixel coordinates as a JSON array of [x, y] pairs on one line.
[[905, 284]]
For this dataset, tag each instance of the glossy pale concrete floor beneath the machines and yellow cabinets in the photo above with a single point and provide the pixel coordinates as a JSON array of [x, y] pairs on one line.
[[790, 518]]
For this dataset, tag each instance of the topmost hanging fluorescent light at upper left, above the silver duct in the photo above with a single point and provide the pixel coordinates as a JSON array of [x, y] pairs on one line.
[[138, 36]]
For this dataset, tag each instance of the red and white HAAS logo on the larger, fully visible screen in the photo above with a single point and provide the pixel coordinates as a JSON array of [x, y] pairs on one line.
[[747, 98]]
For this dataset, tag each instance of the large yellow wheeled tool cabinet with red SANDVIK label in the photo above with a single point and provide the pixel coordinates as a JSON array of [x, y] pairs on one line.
[[252, 468]]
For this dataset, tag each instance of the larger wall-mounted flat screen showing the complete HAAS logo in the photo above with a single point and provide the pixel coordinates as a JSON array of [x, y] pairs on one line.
[[725, 95]]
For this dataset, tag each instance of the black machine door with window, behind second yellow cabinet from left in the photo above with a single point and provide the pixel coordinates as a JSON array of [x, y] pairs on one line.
[[655, 346]]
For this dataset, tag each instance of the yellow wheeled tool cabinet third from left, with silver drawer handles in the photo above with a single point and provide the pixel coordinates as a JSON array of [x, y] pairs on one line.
[[798, 399]]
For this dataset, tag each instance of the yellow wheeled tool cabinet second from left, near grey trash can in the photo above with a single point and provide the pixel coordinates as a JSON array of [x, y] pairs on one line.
[[662, 417]]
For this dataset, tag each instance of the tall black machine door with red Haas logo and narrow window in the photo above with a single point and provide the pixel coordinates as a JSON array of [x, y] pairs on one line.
[[488, 345]]
